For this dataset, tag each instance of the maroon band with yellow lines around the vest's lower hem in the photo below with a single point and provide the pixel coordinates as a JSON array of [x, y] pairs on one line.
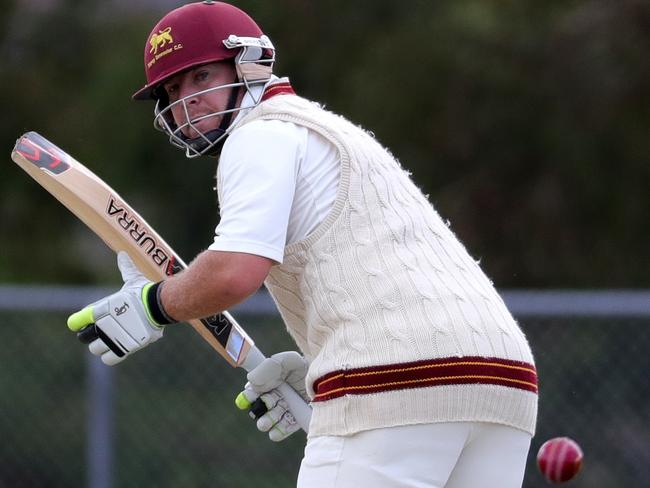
[[420, 374]]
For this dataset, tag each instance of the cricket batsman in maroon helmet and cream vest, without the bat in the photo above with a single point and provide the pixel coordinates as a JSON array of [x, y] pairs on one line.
[[417, 373]]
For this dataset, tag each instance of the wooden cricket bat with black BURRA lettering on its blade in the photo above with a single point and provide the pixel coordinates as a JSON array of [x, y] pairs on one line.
[[99, 207]]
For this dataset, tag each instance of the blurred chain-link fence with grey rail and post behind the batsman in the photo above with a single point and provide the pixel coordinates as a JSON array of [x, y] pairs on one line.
[[166, 417]]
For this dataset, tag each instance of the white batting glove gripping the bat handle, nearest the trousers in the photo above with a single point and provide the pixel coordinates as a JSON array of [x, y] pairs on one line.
[[265, 403]]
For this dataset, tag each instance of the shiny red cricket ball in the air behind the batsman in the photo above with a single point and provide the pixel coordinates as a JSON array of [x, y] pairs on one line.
[[559, 459]]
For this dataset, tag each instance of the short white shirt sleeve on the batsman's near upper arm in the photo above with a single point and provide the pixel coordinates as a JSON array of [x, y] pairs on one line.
[[258, 170]]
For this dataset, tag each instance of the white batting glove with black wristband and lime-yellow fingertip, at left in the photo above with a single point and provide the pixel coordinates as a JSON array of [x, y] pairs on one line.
[[124, 322]]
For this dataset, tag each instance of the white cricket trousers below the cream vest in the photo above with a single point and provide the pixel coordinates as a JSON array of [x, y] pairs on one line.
[[445, 455]]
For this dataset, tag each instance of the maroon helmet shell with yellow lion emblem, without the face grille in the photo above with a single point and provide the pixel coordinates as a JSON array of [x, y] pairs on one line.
[[189, 36]]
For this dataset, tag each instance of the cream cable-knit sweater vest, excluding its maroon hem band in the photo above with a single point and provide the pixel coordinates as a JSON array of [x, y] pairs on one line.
[[383, 280]]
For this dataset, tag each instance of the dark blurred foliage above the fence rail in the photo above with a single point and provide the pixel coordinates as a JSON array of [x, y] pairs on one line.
[[527, 122]]
